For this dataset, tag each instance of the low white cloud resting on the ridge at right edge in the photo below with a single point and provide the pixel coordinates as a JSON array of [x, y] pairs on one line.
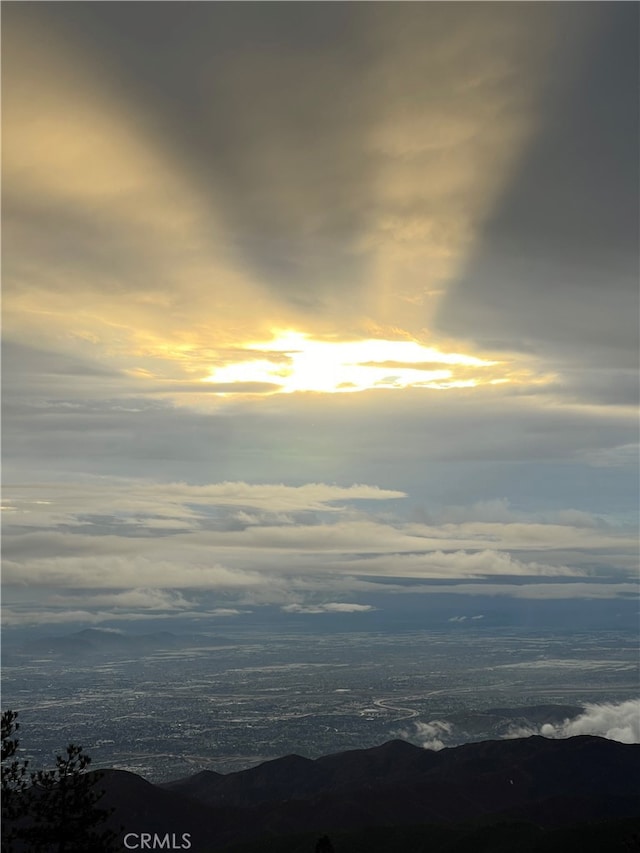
[[609, 720]]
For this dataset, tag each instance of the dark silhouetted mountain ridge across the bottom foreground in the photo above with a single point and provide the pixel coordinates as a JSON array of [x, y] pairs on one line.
[[528, 794]]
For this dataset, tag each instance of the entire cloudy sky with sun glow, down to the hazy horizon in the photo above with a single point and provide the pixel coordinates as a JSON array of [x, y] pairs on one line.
[[319, 311]]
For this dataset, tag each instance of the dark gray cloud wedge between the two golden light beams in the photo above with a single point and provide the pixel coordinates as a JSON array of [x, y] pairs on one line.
[[265, 108]]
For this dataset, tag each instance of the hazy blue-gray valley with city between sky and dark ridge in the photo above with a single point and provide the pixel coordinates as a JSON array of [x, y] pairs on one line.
[[225, 703]]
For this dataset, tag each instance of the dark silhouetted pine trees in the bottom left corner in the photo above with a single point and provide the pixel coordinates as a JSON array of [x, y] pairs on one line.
[[55, 811]]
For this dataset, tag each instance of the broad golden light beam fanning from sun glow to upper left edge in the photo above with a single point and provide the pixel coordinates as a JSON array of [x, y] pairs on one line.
[[110, 250]]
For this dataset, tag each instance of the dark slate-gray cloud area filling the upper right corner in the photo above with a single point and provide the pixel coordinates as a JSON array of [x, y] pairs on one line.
[[556, 268]]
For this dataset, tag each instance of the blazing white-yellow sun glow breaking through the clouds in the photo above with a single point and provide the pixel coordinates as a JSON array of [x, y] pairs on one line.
[[295, 362]]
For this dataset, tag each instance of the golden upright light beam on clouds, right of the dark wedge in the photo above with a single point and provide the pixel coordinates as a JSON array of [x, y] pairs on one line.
[[461, 99]]
